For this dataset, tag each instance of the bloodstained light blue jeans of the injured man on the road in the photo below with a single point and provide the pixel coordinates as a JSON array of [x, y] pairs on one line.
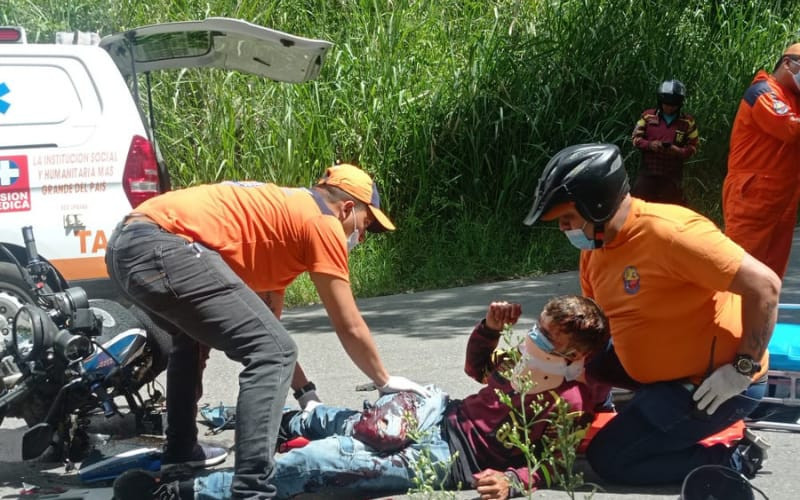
[[335, 462]]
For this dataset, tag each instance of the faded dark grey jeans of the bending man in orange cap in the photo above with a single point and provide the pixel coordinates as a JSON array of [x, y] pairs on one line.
[[193, 291]]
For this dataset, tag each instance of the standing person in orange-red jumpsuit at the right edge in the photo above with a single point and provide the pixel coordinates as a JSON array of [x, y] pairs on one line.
[[761, 191]]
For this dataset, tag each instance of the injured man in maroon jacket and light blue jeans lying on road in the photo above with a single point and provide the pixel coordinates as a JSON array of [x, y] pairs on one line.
[[352, 455]]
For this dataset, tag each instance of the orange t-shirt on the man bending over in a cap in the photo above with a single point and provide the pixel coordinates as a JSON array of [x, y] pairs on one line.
[[266, 233]]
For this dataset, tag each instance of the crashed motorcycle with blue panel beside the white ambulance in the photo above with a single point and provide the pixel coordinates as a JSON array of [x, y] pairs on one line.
[[65, 361]]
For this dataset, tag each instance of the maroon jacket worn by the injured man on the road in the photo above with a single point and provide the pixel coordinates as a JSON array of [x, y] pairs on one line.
[[478, 417]]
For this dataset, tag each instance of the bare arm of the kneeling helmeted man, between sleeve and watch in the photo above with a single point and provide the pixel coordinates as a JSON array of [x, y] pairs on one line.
[[760, 288]]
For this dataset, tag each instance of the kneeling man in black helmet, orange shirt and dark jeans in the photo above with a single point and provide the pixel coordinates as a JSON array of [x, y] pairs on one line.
[[691, 314]]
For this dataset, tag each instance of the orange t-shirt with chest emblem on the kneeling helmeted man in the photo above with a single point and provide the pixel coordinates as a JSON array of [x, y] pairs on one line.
[[661, 283]]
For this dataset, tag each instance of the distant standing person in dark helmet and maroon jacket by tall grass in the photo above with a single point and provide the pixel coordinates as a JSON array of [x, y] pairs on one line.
[[666, 137]]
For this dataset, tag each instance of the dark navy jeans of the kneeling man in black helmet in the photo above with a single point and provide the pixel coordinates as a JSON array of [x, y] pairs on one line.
[[654, 439]]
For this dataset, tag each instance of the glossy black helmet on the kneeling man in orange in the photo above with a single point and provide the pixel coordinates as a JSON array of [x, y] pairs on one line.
[[590, 175]]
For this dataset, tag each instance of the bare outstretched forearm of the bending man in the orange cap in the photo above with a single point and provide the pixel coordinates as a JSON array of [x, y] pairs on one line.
[[337, 297]]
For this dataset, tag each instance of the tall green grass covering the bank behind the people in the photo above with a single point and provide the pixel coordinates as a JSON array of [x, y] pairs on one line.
[[454, 105]]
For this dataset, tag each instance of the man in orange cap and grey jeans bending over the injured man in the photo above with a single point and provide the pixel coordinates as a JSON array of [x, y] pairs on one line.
[[212, 263]]
